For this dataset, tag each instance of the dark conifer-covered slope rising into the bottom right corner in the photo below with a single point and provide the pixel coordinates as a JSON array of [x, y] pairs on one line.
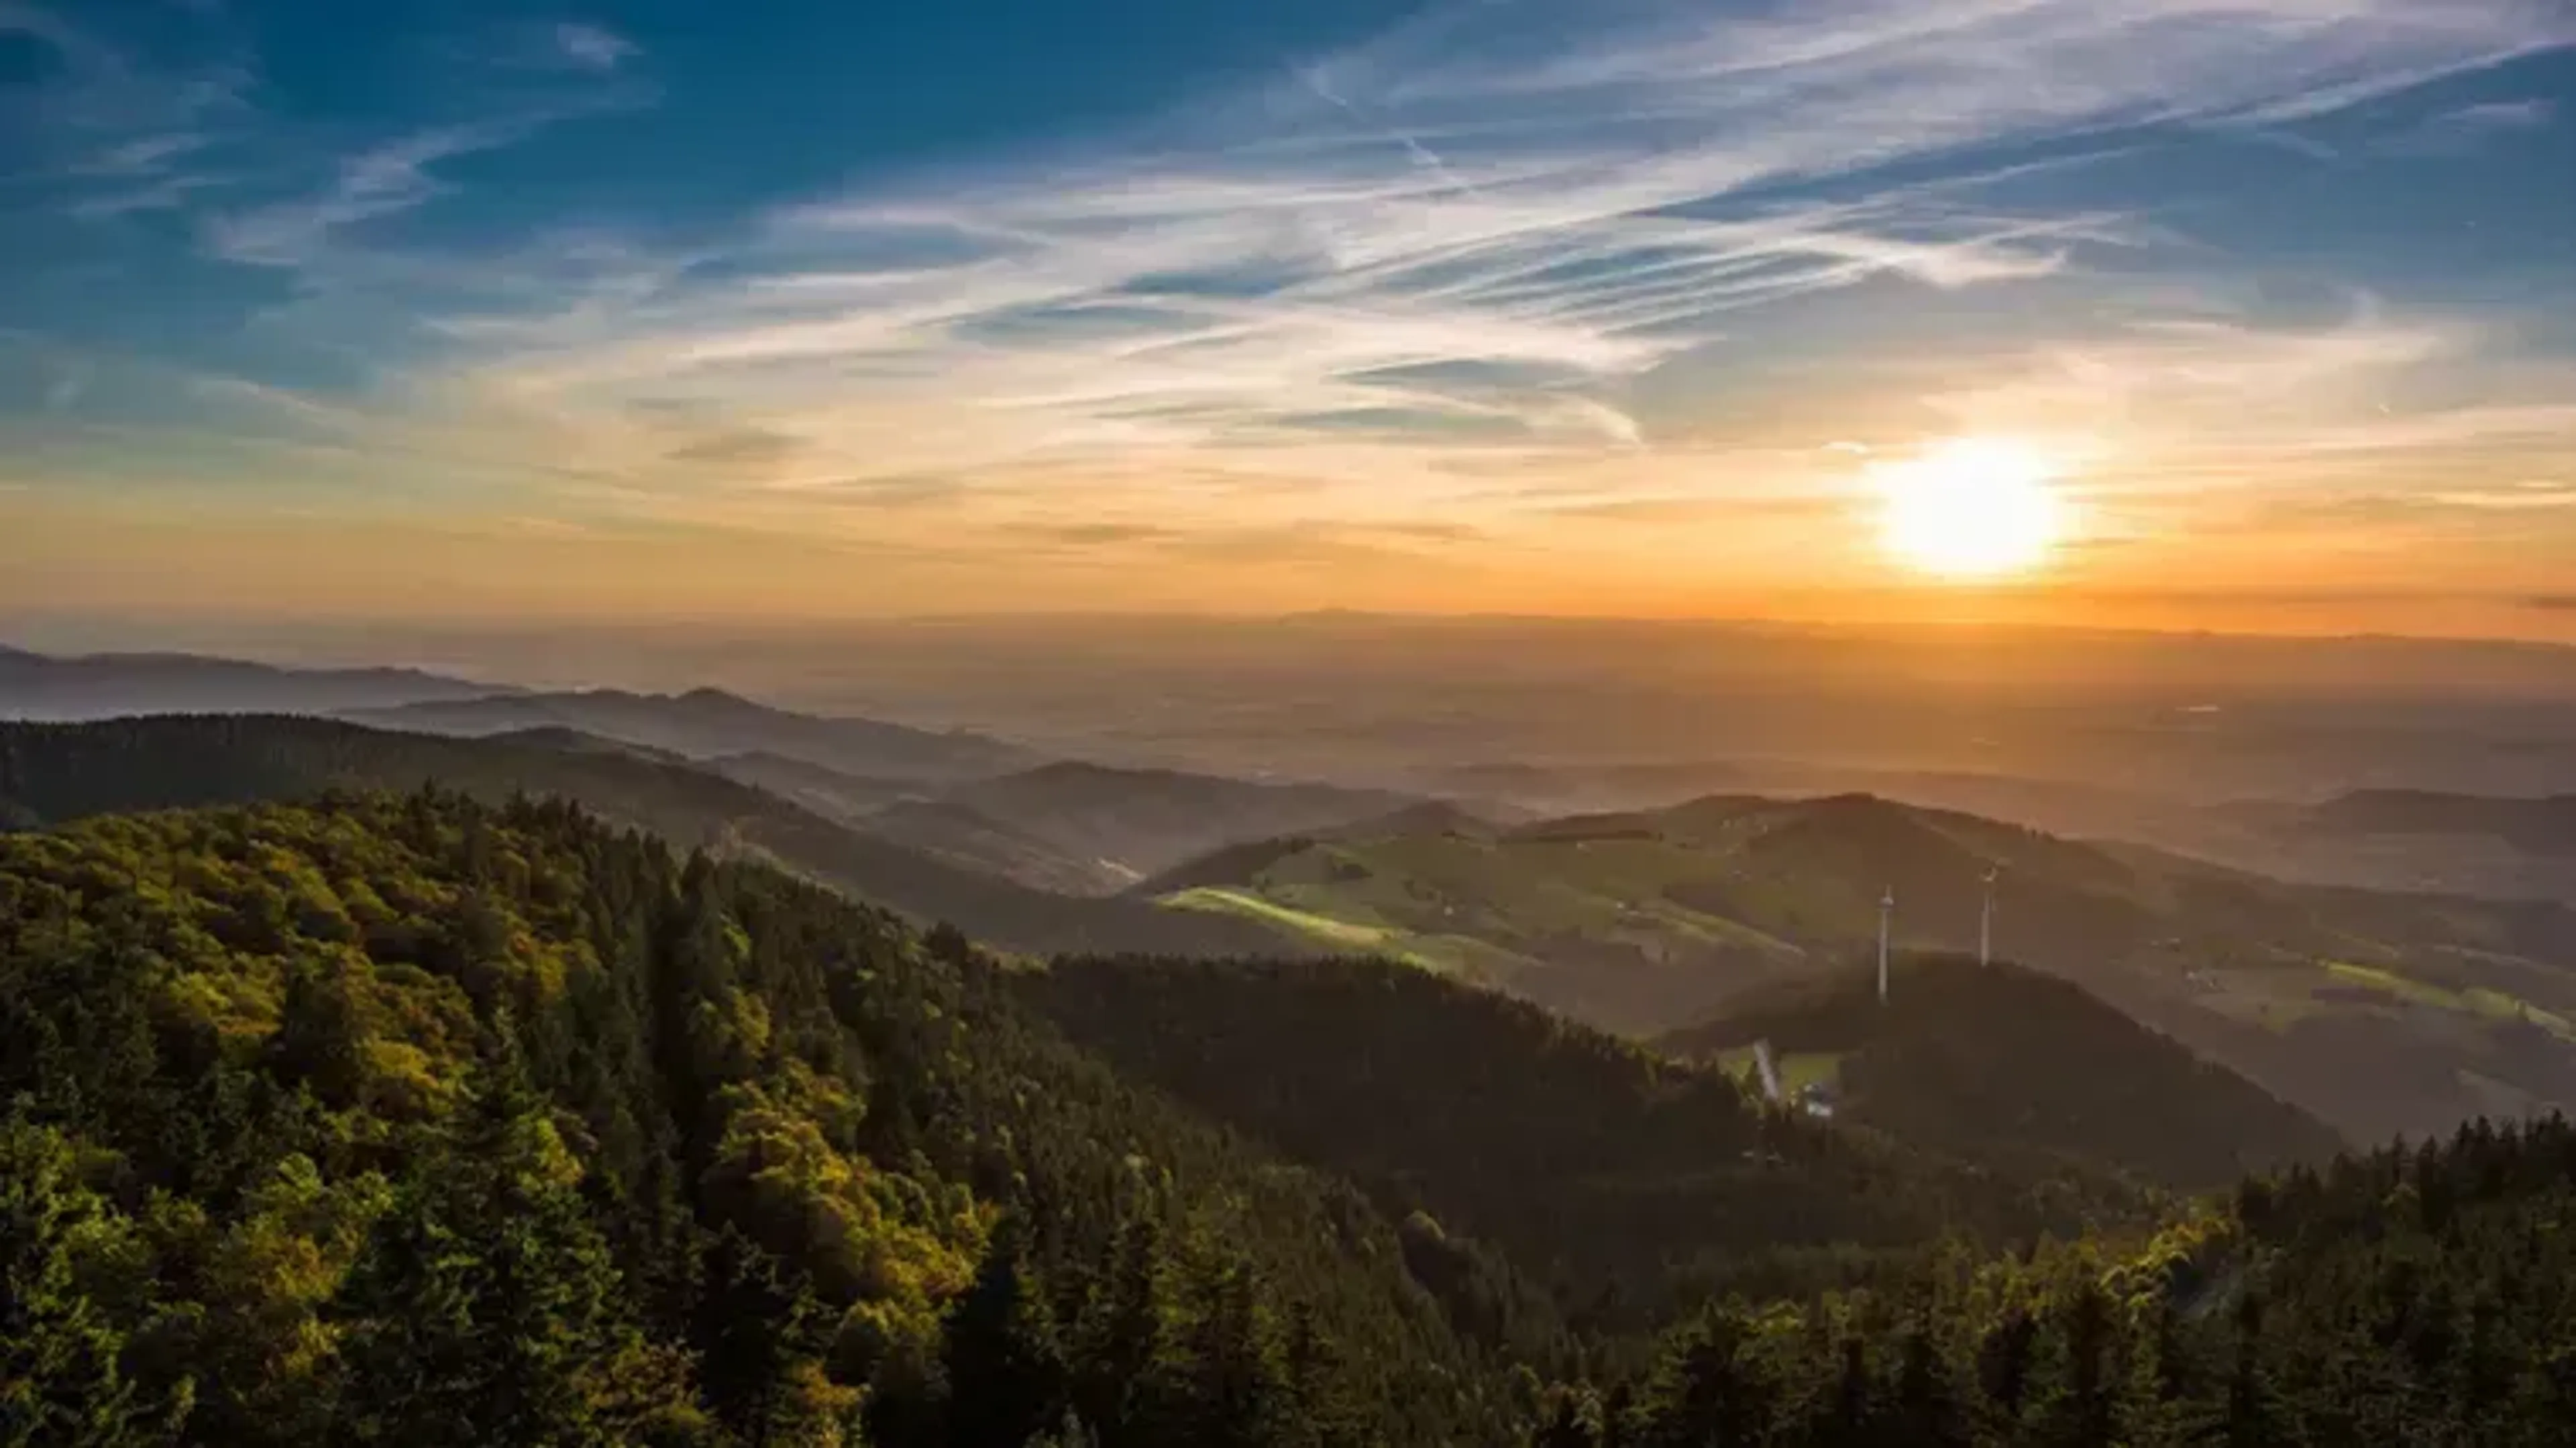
[[2412, 1297]]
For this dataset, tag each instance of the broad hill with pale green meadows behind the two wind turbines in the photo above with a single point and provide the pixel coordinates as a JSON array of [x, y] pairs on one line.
[[2374, 1011]]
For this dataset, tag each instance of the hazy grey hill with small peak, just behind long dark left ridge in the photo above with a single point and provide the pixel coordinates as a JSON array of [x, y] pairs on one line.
[[707, 723]]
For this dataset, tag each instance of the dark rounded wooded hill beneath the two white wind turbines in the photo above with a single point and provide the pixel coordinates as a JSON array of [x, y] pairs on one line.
[[1998, 1060]]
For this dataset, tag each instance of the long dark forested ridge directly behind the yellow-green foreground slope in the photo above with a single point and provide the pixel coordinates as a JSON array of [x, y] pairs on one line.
[[68, 772]]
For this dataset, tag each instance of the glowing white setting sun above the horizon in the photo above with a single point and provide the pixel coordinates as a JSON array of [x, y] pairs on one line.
[[1972, 509]]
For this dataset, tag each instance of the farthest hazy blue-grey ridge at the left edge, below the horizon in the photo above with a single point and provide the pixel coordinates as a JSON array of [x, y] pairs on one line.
[[99, 687]]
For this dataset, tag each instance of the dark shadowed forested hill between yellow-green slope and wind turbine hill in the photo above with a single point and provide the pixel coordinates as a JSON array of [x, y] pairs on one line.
[[1614, 1181]]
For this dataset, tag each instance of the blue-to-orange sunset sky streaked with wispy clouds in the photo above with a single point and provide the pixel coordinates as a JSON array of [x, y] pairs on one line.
[[813, 310]]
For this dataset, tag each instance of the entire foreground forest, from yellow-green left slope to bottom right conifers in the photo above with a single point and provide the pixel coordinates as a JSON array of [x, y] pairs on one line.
[[416, 1119]]
